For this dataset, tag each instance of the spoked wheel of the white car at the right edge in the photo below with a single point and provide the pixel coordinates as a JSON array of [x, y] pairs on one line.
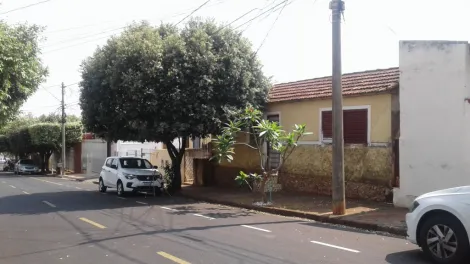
[[444, 239]]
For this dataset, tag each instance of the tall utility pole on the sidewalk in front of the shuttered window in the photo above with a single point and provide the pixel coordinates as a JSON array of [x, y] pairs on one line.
[[338, 195]]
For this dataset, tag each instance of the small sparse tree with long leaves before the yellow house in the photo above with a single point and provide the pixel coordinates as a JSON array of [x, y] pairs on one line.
[[262, 133]]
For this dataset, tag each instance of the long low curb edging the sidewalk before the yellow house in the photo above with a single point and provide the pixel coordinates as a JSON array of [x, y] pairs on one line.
[[293, 213]]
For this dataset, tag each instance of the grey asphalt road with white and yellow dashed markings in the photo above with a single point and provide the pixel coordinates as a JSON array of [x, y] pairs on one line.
[[53, 220]]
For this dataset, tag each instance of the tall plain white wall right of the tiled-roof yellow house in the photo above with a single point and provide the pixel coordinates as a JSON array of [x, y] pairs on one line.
[[434, 117]]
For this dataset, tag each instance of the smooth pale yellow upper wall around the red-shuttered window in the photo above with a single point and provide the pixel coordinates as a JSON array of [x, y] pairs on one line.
[[307, 112]]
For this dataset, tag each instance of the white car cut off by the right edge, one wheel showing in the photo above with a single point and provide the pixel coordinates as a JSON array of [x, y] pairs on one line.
[[439, 222]]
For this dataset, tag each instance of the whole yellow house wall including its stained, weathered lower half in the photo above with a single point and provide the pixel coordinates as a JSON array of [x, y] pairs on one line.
[[368, 169]]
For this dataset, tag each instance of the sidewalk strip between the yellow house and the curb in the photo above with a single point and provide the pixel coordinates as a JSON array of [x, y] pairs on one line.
[[359, 214]]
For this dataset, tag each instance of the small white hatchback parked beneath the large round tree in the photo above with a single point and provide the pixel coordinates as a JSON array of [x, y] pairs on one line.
[[130, 174]]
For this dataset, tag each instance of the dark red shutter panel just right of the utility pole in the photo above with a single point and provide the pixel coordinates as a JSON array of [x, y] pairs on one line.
[[355, 126]]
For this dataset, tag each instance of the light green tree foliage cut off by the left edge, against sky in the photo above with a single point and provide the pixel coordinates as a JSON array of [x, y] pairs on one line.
[[21, 69]]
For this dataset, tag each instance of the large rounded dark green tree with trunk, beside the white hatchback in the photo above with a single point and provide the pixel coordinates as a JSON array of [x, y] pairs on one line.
[[161, 83]]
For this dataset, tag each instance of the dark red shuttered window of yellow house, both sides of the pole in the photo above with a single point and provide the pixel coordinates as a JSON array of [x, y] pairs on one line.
[[354, 126]]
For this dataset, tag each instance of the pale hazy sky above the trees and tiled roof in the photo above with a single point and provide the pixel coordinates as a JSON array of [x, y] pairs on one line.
[[297, 46]]
